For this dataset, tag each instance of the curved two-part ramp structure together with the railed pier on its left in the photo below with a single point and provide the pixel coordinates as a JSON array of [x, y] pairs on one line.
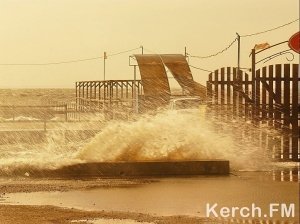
[[149, 93]]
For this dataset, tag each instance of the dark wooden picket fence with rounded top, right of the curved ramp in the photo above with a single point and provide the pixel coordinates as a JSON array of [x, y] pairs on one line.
[[268, 97]]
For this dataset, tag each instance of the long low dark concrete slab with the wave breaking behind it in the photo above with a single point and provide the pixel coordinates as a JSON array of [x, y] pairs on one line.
[[149, 168]]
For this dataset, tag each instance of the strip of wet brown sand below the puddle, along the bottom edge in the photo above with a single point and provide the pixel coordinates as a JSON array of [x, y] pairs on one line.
[[20, 214]]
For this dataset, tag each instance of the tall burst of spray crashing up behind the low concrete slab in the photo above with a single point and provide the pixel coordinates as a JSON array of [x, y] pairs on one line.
[[175, 135]]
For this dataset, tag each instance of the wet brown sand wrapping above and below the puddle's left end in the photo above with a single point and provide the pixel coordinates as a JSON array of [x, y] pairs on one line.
[[23, 214]]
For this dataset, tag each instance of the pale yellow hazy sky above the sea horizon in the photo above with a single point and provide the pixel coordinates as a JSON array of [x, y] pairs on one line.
[[42, 31]]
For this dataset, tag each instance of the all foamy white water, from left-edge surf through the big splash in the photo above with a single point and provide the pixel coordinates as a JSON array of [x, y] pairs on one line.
[[169, 135]]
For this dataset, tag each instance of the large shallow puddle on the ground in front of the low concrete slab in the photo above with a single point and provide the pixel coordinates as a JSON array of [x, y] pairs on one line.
[[174, 196]]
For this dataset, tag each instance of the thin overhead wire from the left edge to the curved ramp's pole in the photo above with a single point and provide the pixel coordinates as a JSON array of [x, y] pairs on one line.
[[67, 62]]
